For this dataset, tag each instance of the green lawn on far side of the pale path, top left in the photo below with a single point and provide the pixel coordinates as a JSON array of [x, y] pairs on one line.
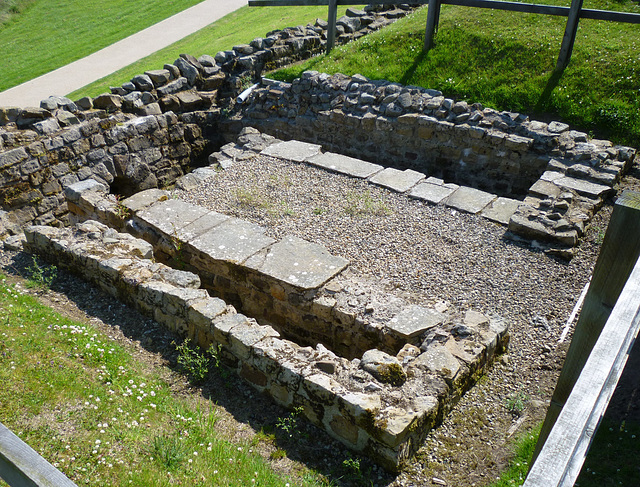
[[43, 35]]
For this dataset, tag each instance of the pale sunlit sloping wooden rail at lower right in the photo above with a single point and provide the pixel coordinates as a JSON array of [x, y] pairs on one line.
[[560, 459]]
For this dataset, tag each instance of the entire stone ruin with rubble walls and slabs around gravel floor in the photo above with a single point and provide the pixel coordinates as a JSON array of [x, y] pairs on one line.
[[378, 378]]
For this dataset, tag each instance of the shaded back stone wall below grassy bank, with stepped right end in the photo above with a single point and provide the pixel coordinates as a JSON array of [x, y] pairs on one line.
[[561, 175]]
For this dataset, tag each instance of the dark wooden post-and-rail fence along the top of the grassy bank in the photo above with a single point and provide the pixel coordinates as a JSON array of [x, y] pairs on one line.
[[573, 14]]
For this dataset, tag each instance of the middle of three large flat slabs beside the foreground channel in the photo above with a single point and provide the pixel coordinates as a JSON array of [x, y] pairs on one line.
[[232, 241]]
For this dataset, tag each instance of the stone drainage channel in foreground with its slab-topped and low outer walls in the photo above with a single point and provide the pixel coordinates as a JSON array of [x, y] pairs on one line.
[[376, 379]]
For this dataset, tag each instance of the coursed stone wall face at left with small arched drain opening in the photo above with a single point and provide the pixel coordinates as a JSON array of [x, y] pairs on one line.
[[124, 152]]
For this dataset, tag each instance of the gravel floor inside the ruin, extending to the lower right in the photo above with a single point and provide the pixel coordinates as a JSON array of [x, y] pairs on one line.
[[427, 254]]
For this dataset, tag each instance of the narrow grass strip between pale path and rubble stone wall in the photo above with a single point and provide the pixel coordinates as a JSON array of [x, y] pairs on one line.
[[239, 27]]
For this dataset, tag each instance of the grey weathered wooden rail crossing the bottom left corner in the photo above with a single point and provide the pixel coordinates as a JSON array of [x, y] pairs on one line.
[[21, 466]]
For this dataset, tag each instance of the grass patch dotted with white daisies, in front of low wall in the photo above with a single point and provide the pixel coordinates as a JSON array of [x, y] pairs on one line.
[[102, 417]]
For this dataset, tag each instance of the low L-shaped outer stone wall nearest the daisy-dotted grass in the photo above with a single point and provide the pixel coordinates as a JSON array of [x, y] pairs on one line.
[[380, 405]]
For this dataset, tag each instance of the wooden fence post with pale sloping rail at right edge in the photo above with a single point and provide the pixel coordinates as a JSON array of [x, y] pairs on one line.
[[603, 338]]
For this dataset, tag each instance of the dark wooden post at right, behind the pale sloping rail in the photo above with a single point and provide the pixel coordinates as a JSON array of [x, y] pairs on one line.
[[618, 255]]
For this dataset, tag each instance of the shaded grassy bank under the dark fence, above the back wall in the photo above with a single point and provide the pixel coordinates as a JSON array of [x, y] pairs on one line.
[[505, 60]]
